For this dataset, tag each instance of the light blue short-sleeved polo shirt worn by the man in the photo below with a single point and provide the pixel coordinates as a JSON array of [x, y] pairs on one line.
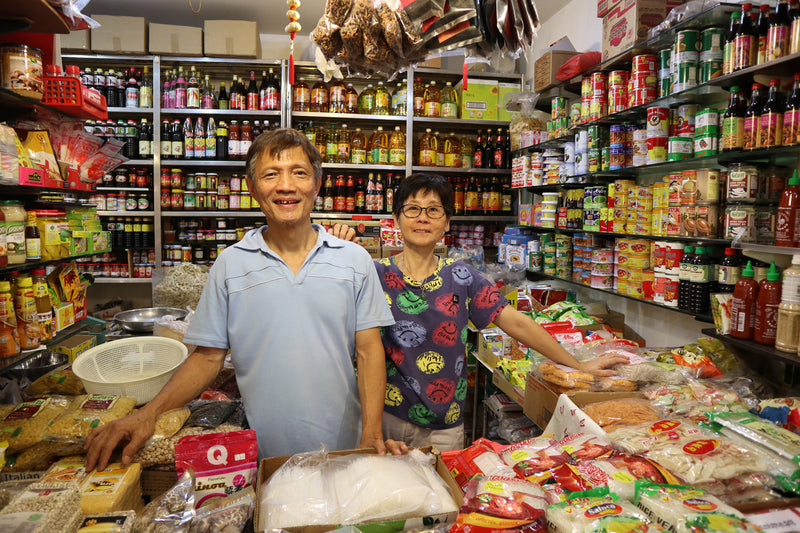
[[292, 338]]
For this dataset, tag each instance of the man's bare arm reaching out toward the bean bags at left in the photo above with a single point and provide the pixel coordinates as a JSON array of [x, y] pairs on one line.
[[191, 378]]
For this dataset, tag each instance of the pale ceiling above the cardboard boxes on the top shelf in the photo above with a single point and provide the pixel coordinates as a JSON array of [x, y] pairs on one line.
[[269, 14]]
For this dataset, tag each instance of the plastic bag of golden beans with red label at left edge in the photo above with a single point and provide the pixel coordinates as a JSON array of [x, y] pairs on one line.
[[28, 422]]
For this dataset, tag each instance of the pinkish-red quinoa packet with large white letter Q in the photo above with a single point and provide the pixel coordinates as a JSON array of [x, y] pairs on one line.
[[223, 463]]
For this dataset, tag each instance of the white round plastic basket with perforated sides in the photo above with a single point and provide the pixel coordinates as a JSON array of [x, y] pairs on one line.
[[137, 367]]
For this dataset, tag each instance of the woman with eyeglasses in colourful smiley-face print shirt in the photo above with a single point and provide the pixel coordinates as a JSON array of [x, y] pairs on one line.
[[432, 299]]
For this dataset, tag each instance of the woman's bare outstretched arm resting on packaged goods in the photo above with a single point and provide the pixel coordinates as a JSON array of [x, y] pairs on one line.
[[526, 330]]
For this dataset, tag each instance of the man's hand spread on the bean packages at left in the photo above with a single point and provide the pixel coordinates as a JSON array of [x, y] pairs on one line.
[[135, 428]]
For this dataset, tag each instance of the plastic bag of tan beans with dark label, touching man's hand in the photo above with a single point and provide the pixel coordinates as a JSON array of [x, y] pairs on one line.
[[88, 412]]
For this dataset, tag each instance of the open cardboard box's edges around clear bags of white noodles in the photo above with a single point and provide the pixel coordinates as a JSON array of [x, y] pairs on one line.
[[269, 465]]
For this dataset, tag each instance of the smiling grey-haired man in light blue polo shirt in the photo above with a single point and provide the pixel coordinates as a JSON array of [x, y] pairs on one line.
[[296, 307]]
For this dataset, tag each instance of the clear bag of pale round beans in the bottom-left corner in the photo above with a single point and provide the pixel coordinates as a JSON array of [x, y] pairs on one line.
[[44, 508]]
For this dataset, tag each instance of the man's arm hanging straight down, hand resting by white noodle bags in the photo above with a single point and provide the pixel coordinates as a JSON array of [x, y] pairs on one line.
[[371, 363]]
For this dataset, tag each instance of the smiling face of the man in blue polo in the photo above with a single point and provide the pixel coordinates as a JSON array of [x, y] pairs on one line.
[[285, 187]]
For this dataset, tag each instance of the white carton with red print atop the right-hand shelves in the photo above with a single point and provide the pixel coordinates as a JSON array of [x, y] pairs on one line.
[[627, 24]]
